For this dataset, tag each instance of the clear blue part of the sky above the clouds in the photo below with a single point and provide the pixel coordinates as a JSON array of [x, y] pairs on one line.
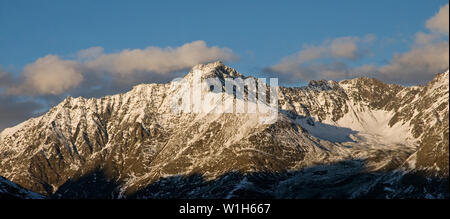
[[261, 32]]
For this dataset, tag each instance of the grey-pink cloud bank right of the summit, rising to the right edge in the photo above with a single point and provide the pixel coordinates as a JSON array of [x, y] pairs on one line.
[[429, 54]]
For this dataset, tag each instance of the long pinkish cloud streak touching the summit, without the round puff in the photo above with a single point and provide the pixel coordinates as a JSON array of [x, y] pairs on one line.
[[159, 60]]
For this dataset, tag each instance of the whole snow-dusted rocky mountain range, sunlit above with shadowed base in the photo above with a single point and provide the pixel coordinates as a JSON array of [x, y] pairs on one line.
[[132, 145]]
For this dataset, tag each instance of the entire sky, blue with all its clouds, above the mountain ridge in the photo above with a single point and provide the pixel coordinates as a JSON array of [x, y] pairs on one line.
[[50, 49]]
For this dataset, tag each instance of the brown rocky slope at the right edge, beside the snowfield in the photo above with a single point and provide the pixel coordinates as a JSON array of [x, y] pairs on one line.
[[430, 125]]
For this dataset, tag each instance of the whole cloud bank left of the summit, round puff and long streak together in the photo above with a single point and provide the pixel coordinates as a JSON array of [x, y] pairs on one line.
[[51, 75]]
